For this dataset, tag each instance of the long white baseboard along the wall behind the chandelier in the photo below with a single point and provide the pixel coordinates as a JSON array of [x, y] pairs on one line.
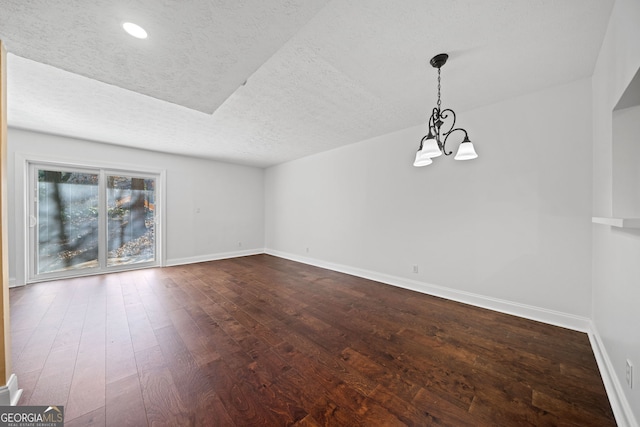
[[552, 317]]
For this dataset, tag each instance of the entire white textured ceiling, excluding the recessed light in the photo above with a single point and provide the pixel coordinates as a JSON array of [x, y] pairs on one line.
[[263, 82]]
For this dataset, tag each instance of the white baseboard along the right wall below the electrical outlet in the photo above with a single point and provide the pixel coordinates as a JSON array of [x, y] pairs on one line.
[[619, 403]]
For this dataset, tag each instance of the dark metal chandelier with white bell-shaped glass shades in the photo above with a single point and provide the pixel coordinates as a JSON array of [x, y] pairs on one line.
[[441, 126]]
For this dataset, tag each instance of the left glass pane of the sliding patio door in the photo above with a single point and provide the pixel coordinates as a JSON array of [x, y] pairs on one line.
[[67, 221]]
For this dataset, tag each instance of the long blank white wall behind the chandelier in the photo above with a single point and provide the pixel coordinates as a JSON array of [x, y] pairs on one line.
[[513, 225]]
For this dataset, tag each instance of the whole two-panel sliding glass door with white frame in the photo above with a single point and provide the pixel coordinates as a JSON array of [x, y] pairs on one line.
[[85, 221]]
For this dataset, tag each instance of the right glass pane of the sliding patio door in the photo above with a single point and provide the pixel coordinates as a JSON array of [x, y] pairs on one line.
[[131, 220]]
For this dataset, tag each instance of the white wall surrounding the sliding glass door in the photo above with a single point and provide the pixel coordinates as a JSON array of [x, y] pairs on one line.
[[230, 197]]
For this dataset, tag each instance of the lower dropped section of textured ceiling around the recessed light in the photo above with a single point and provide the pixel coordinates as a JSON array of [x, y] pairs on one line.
[[197, 54]]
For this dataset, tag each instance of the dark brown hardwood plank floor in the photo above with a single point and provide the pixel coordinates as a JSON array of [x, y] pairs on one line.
[[269, 342]]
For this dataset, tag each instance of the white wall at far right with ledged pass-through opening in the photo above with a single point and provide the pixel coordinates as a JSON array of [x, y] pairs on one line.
[[616, 252]]
